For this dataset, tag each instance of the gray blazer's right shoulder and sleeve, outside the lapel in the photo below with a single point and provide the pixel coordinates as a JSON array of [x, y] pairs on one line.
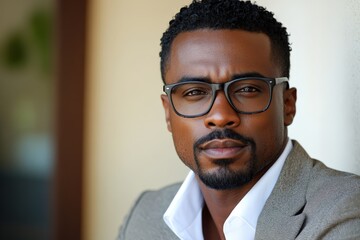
[[333, 203]]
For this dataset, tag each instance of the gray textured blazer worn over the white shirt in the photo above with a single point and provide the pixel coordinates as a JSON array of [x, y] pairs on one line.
[[309, 201]]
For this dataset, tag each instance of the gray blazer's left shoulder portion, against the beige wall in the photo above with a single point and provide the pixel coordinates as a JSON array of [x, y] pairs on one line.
[[145, 220]]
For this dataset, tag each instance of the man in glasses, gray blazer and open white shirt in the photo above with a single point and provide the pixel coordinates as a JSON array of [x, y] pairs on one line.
[[225, 66]]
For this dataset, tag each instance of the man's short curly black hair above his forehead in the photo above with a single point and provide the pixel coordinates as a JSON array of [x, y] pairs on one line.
[[228, 14]]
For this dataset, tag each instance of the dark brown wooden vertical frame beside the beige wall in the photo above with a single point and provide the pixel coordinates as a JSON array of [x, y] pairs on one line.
[[70, 102]]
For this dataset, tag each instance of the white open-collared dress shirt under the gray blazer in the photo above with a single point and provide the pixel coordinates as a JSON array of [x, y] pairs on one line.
[[184, 215]]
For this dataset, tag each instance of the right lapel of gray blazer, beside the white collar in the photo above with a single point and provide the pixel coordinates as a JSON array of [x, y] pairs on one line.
[[282, 217]]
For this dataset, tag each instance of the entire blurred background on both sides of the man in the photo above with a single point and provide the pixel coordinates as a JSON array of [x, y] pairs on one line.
[[82, 130]]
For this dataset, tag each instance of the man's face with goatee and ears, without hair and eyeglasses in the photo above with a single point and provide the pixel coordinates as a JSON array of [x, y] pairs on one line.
[[224, 148]]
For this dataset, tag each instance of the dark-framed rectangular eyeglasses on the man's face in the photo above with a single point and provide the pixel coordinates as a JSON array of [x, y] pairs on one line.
[[248, 95]]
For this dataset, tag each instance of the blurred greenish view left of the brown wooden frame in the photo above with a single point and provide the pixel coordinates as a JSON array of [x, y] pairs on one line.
[[27, 117]]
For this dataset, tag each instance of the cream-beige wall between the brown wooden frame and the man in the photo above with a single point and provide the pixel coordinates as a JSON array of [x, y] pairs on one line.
[[128, 146]]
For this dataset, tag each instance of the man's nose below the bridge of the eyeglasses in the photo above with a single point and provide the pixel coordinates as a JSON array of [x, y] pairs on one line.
[[222, 114]]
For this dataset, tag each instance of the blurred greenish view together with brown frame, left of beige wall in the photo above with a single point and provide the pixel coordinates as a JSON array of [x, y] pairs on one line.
[[42, 68]]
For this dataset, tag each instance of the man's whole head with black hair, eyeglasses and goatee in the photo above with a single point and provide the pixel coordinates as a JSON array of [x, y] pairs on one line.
[[230, 120]]
